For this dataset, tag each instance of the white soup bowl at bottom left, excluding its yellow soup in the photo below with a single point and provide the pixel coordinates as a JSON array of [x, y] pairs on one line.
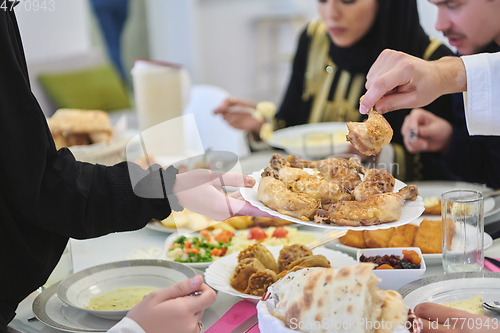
[[77, 289]]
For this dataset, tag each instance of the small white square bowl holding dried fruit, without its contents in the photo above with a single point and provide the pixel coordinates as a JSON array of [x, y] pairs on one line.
[[394, 279]]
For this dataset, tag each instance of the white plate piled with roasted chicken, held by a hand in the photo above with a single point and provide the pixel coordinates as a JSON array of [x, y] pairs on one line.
[[335, 193]]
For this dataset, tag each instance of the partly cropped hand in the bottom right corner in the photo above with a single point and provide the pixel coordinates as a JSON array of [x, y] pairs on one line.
[[438, 318]]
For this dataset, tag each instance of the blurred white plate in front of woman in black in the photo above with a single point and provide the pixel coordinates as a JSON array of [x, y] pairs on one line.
[[291, 139]]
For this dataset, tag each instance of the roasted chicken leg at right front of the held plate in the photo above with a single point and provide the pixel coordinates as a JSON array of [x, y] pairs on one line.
[[378, 208]]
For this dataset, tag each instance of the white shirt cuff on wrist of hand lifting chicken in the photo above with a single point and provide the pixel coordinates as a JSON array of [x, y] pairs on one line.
[[478, 105]]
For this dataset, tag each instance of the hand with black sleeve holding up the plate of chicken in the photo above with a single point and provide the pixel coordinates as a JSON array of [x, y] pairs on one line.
[[201, 191]]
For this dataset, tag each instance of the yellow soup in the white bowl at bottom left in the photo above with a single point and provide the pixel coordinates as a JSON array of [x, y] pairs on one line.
[[119, 299]]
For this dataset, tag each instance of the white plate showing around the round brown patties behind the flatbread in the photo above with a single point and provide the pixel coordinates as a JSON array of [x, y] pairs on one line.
[[219, 272]]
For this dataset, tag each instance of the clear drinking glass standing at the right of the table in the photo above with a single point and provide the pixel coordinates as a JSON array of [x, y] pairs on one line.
[[462, 213]]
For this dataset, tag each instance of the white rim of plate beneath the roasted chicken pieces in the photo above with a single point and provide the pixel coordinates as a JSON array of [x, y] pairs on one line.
[[411, 209]]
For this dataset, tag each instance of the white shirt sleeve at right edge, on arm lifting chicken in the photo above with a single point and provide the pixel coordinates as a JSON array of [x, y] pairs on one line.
[[482, 100]]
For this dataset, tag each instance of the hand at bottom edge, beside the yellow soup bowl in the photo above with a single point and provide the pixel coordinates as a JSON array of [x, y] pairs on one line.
[[172, 310]]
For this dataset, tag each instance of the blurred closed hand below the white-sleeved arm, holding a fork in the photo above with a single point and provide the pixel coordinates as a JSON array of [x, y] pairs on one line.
[[423, 131]]
